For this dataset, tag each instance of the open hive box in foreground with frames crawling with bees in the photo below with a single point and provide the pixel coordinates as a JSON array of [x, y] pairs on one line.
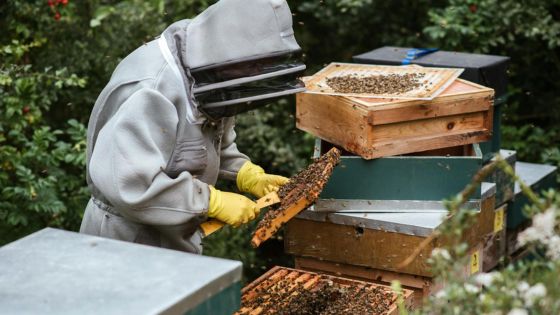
[[284, 290]]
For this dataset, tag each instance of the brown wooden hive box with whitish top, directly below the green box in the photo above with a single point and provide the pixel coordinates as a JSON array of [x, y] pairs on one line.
[[381, 240]]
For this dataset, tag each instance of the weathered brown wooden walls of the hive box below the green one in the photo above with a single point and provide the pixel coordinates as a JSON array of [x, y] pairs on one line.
[[374, 248]]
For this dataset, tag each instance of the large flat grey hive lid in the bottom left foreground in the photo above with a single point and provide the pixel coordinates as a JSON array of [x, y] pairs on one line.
[[59, 272]]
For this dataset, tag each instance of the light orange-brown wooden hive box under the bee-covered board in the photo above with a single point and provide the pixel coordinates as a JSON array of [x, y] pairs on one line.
[[373, 127]]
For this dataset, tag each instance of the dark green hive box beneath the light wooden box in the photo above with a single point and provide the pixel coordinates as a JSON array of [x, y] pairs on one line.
[[385, 182]]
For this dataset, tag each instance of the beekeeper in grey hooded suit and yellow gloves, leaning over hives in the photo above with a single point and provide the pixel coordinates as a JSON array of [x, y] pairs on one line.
[[162, 131]]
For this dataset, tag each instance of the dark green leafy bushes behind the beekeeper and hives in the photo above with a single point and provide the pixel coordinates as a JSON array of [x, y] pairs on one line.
[[56, 56]]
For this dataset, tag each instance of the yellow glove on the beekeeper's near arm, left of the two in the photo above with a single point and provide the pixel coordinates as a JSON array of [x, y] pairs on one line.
[[230, 208]]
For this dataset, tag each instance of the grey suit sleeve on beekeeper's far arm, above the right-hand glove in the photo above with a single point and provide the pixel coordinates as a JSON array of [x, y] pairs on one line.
[[231, 160]]
